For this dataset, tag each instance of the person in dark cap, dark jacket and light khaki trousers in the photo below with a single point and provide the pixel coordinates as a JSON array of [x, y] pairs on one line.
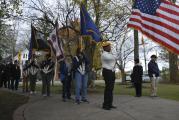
[[154, 73]]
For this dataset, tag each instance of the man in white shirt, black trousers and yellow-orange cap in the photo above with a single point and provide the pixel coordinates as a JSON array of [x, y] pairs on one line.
[[108, 65]]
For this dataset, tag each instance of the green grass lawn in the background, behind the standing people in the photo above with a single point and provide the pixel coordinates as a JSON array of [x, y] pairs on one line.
[[168, 91]]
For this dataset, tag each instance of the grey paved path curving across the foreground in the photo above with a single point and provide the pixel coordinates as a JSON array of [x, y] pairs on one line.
[[128, 108]]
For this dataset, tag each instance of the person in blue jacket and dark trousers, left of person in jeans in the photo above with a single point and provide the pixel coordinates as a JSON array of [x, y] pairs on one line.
[[66, 77]]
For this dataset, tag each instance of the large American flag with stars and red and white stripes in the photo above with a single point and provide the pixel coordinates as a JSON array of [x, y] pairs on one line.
[[158, 20]]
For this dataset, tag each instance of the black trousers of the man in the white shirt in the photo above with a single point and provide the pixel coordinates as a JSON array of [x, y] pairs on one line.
[[109, 78]]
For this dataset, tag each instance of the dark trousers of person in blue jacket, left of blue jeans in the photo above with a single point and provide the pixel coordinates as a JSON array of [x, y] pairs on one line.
[[66, 88]]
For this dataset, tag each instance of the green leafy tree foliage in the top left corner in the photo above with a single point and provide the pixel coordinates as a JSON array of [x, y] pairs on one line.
[[9, 10]]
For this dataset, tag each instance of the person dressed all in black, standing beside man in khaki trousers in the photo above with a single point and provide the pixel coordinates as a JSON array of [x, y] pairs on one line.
[[137, 77]]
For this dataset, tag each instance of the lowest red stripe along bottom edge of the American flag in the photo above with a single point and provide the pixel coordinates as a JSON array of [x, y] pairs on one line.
[[173, 49]]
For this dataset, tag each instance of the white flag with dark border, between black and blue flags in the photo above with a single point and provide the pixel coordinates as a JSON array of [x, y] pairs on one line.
[[56, 43]]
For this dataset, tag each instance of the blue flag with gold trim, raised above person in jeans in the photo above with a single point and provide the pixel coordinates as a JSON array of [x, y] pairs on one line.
[[88, 27]]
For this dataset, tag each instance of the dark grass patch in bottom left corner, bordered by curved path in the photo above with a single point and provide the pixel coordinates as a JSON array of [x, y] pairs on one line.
[[9, 102]]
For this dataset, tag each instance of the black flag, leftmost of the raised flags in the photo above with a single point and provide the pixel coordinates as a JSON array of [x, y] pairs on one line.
[[37, 42]]
